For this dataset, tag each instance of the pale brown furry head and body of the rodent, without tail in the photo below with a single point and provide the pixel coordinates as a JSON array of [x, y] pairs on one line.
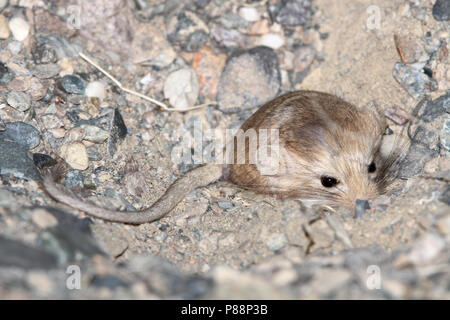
[[320, 134]]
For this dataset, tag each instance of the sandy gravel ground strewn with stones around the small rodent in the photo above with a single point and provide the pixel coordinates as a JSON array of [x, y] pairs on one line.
[[220, 242]]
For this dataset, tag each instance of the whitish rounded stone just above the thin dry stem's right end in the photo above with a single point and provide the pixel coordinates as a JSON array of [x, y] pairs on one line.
[[181, 88]]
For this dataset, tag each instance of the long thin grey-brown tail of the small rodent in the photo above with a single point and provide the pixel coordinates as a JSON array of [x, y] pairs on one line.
[[197, 177]]
